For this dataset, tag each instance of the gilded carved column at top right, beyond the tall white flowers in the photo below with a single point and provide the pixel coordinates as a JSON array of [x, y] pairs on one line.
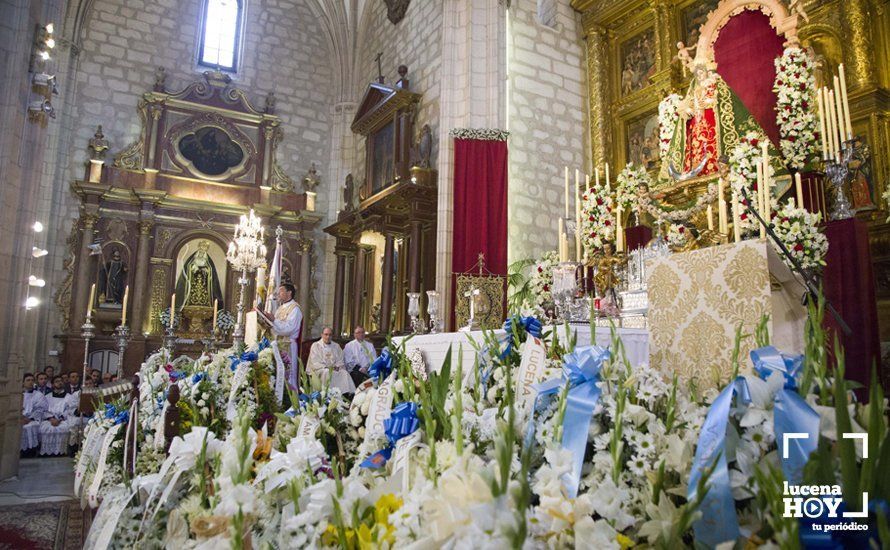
[[860, 46]]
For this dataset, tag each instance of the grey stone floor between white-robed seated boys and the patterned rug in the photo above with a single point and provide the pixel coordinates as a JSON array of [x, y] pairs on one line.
[[39, 480]]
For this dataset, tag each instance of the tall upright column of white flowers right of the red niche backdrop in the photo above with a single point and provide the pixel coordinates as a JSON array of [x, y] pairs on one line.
[[795, 88]]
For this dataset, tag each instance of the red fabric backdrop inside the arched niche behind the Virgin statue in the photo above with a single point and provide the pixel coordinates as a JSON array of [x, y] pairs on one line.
[[745, 52]]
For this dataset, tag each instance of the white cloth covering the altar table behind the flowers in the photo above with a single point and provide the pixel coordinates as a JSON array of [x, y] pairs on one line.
[[435, 346]]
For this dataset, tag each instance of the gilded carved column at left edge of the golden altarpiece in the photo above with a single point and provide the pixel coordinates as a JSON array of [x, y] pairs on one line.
[[597, 80]]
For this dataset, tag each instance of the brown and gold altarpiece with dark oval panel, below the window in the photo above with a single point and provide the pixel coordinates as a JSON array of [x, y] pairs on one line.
[[158, 218]]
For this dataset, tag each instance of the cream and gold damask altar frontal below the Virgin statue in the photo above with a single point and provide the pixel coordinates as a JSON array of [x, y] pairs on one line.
[[698, 299]]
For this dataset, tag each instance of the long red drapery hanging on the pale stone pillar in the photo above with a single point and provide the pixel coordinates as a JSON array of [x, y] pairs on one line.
[[480, 206]]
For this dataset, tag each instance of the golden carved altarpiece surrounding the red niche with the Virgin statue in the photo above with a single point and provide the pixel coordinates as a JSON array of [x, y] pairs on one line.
[[853, 32]]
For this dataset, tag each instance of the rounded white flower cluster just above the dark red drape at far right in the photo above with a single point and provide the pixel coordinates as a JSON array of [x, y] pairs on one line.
[[798, 229]]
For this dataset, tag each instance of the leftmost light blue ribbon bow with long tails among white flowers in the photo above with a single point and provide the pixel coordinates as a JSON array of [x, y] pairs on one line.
[[581, 369]]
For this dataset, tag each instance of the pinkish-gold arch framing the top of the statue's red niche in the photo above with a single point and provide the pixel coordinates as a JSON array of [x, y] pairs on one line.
[[784, 22]]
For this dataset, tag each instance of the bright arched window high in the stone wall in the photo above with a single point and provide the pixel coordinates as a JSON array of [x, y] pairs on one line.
[[221, 34]]
